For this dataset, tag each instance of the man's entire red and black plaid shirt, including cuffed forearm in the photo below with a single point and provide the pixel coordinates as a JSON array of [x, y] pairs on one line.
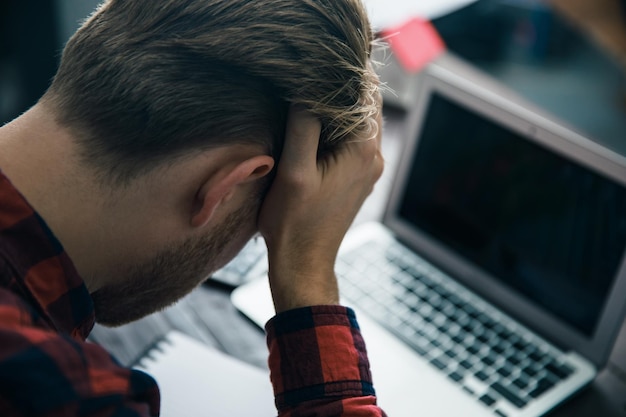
[[317, 356]]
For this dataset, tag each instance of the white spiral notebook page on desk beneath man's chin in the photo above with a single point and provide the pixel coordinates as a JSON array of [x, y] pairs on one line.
[[198, 380]]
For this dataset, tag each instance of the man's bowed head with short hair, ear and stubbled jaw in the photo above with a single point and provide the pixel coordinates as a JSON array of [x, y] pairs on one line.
[[176, 111]]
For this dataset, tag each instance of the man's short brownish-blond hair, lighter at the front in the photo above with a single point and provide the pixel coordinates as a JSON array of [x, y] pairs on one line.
[[143, 81]]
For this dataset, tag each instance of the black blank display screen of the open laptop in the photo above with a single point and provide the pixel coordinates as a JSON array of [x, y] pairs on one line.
[[545, 226]]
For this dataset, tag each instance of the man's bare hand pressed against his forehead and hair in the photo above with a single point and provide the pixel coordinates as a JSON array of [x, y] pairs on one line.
[[310, 207]]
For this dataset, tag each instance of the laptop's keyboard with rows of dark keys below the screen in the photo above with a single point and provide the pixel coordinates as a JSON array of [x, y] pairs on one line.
[[488, 355]]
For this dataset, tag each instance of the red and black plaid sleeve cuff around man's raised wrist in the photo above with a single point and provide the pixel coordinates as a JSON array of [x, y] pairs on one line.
[[318, 364]]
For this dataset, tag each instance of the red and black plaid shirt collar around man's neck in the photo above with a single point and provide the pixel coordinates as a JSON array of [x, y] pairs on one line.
[[41, 267]]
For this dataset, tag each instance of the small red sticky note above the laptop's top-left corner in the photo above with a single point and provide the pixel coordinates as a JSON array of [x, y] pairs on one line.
[[414, 43]]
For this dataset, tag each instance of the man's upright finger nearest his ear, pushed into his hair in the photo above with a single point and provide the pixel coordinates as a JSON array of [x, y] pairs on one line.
[[301, 140]]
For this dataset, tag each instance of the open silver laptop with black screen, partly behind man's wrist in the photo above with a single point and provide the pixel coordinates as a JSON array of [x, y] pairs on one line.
[[493, 286]]
